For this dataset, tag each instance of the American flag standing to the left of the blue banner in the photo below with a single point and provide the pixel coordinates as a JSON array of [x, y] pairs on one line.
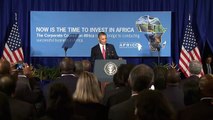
[[13, 48]]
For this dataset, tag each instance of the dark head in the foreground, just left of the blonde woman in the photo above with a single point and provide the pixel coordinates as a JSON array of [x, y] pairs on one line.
[[59, 104]]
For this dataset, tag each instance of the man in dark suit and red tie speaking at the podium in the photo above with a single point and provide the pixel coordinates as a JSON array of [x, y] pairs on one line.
[[103, 50]]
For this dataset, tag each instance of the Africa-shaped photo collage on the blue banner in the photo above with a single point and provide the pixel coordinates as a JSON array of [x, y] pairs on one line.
[[153, 31]]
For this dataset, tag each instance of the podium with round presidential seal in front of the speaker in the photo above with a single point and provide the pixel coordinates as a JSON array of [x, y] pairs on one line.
[[105, 69]]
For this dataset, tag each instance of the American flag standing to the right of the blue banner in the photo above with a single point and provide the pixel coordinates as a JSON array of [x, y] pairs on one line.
[[189, 50]]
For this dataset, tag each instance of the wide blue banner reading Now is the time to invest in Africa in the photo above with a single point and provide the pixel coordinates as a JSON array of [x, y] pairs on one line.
[[134, 34]]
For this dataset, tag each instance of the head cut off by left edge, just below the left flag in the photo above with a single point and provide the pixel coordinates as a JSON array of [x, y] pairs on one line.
[[4, 67]]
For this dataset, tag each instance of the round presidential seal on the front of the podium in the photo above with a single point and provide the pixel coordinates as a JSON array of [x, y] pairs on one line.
[[110, 68]]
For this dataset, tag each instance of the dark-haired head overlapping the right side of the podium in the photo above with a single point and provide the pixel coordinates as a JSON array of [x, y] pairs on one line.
[[121, 77]]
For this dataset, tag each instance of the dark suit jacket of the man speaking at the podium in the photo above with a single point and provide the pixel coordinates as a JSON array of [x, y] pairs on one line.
[[97, 54]]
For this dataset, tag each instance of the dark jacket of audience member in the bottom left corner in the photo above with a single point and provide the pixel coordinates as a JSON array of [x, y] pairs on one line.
[[21, 110]]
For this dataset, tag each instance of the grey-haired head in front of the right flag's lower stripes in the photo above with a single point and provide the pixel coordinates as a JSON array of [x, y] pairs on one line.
[[195, 67]]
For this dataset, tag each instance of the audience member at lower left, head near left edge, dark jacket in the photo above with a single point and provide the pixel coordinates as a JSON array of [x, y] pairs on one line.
[[20, 110]]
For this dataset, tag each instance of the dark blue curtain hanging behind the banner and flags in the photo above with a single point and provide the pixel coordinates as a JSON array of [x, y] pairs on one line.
[[201, 12]]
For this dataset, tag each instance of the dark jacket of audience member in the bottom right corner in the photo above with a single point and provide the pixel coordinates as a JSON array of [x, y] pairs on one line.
[[200, 111]]
